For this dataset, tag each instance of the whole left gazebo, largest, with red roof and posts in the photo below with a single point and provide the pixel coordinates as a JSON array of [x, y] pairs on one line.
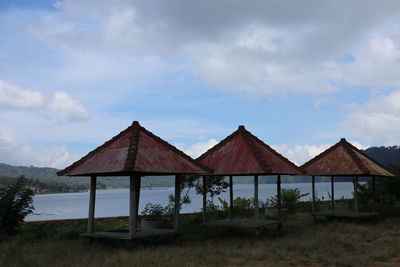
[[135, 152]]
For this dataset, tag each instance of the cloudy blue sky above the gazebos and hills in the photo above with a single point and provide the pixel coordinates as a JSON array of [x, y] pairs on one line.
[[298, 74]]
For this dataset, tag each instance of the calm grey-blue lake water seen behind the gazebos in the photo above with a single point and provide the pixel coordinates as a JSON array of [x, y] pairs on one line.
[[111, 203]]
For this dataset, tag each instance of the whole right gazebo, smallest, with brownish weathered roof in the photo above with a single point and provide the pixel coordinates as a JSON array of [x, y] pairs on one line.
[[344, 159]]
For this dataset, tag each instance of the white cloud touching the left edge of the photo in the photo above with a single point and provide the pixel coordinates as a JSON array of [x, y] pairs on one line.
[[14, 97]]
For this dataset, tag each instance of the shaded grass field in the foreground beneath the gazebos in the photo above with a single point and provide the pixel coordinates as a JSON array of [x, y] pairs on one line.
[[304, 243]]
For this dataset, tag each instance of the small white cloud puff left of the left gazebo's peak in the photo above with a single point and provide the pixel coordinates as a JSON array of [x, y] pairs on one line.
[[68, 107]]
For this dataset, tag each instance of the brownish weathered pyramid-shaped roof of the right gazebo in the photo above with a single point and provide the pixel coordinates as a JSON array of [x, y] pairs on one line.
[[344, 159]]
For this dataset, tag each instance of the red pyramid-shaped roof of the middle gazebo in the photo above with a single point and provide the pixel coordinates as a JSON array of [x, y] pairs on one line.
[[242, 153]]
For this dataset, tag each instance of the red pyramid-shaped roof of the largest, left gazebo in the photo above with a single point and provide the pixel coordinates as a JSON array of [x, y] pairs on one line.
[[135, 150]]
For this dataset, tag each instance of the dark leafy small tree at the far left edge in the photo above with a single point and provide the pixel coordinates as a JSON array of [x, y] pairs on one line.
[[15, 204]]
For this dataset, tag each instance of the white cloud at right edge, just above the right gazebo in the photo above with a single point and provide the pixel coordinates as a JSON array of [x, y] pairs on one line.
[[377, 120]]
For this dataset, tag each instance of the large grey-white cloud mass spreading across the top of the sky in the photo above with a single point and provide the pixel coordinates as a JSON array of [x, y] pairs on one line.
[[262, 48]]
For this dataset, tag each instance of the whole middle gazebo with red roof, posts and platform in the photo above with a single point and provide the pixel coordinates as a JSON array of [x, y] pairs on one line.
[[243, 154]]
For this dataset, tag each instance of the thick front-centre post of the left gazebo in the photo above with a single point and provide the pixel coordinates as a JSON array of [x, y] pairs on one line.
[[134, 188]]
